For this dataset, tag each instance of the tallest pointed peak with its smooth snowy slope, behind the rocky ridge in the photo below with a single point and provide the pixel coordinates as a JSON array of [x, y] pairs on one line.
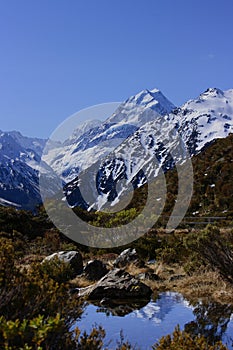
[[96, 141]]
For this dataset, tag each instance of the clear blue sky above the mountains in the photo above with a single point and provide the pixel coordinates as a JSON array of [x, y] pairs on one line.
[[57, 56]]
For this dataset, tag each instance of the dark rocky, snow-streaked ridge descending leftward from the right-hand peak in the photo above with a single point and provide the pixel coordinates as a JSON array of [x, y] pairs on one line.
[[160, 143]]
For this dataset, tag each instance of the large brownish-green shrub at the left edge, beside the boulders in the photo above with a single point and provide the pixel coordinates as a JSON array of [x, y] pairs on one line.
[[29, 292]]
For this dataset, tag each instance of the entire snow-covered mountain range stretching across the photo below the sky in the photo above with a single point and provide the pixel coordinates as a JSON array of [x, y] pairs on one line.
[[143, 130]]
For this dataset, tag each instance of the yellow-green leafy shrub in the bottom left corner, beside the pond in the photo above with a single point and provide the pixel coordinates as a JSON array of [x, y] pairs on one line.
[[52, 333]]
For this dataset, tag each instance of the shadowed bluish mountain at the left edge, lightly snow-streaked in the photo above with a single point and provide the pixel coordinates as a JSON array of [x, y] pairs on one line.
[[20, 167]]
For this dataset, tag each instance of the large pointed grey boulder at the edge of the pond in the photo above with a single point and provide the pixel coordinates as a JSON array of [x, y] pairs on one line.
[[117, 284]]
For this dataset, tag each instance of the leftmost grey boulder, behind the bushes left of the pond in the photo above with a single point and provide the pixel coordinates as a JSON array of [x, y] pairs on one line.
[[74, 258]]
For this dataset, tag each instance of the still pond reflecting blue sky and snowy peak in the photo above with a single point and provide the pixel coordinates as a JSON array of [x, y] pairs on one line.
[[144, 325]]
